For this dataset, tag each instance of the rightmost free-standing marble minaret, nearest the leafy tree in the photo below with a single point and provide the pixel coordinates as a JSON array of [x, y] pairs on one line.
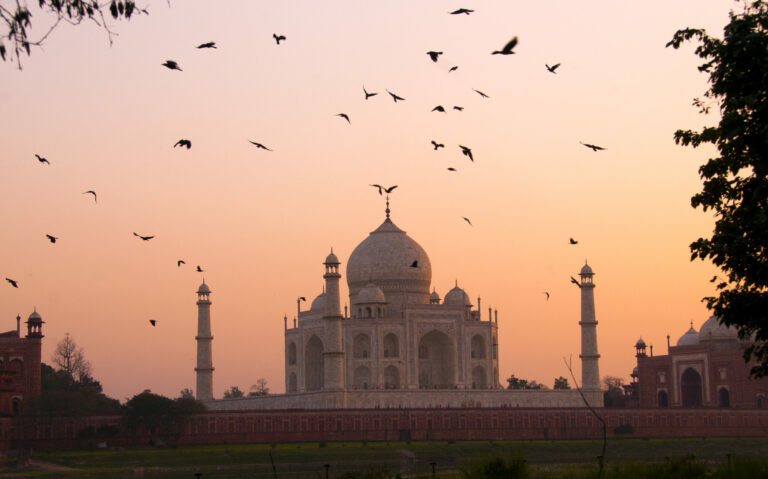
[[590, 373]]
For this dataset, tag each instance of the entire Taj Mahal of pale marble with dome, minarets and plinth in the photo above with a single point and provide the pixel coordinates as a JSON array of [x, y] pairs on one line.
[[398, 344]]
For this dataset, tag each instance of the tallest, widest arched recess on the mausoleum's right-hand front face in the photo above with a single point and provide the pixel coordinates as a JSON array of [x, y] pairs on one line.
[[436, 361]]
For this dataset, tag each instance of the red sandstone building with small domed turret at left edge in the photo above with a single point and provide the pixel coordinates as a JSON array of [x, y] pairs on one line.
[[20, 364]]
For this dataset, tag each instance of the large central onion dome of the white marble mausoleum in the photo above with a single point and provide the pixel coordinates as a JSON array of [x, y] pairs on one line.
[[389, 258]]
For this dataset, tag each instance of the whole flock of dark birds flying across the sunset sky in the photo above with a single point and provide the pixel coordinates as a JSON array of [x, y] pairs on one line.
[[507, 49]]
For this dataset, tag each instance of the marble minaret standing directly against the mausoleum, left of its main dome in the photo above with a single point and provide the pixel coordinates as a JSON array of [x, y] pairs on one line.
[[333, 355]]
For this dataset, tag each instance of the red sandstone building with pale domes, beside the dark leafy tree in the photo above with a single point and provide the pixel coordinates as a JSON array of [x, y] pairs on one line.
[[705, 369]]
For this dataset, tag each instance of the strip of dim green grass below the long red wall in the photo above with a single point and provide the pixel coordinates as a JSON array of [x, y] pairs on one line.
[[651, 458]]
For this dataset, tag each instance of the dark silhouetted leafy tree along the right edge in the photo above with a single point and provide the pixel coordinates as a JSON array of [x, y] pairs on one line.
[[736, 182]]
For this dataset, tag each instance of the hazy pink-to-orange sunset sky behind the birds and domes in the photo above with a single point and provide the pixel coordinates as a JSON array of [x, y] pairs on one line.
[[260, 223]]
